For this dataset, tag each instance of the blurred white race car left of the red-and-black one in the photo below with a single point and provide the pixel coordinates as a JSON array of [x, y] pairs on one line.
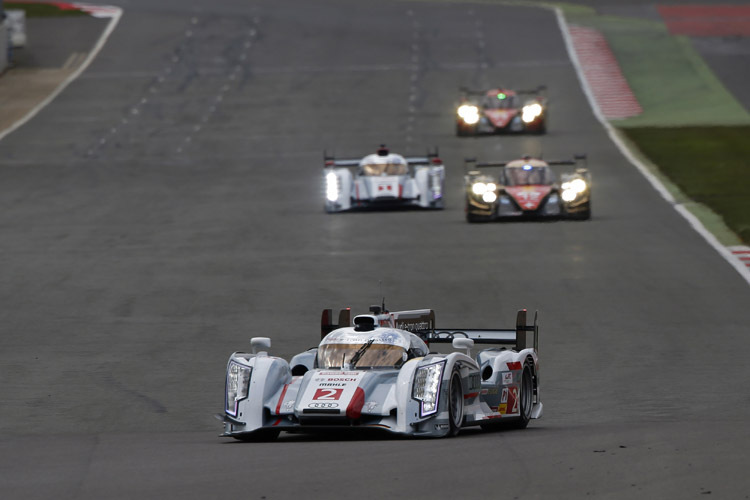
[[383, 180]]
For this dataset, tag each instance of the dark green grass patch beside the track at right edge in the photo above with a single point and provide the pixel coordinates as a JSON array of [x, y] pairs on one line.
[[711, 165]]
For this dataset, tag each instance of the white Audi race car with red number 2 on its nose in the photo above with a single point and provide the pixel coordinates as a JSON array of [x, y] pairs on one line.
[[380, 374]]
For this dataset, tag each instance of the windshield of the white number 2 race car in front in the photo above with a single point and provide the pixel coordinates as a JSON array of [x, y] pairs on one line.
[[373, 356]]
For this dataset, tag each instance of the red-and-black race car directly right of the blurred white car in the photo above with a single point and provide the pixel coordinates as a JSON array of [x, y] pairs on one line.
[[527, 188]]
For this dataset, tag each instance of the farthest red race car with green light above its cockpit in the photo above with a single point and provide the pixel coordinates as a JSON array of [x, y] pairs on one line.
[[501, 110]]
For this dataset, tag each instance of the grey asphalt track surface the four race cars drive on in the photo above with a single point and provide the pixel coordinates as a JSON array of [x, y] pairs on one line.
[[168, 206]]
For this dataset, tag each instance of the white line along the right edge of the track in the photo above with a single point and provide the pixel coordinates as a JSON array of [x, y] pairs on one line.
[[739, 266]]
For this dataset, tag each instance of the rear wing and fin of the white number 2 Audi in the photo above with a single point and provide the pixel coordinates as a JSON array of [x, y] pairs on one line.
[[421, 322]]
